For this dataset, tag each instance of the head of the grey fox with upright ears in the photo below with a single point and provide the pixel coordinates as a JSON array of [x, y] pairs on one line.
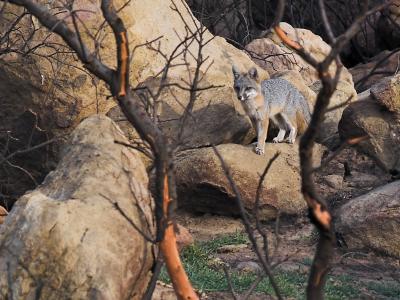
[[246, 85]]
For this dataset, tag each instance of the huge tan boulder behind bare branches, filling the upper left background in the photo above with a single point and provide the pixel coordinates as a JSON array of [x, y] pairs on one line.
[[57, 89]]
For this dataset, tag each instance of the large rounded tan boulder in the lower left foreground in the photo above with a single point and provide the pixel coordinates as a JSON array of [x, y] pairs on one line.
[[66, 239]]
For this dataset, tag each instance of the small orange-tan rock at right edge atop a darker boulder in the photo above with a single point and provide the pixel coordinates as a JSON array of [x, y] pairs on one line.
[[387, 92]]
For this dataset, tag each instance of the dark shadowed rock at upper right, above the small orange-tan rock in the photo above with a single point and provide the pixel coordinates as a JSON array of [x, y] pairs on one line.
[[381, 65]]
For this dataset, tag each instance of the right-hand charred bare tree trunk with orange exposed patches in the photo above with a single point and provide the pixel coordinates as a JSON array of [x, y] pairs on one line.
[[319, 212]]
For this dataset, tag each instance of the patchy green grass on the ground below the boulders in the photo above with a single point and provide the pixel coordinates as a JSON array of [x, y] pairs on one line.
[[208, 276]]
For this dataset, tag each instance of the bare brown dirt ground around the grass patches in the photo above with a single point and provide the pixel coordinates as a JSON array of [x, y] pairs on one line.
[[348, 175]]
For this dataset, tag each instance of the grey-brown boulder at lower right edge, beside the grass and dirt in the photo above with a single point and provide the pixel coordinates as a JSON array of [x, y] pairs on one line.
[[373, 220]]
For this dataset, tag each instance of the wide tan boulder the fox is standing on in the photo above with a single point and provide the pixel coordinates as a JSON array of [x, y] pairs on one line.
[[202, 185]]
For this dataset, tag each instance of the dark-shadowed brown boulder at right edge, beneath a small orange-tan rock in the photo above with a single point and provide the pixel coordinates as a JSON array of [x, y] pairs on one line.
[[369, 118]]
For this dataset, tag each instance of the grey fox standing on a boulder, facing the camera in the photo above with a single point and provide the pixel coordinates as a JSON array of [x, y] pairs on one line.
[[275, 99]]
